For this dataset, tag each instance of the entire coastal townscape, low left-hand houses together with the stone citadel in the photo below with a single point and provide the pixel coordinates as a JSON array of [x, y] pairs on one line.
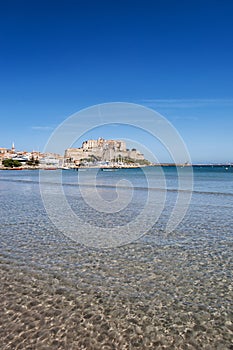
[[92, 153]]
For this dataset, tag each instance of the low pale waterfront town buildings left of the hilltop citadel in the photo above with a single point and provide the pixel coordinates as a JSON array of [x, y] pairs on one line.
[[34, 158]]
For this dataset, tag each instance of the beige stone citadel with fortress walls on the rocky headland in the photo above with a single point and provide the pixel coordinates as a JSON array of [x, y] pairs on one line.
[[101, 150]]
